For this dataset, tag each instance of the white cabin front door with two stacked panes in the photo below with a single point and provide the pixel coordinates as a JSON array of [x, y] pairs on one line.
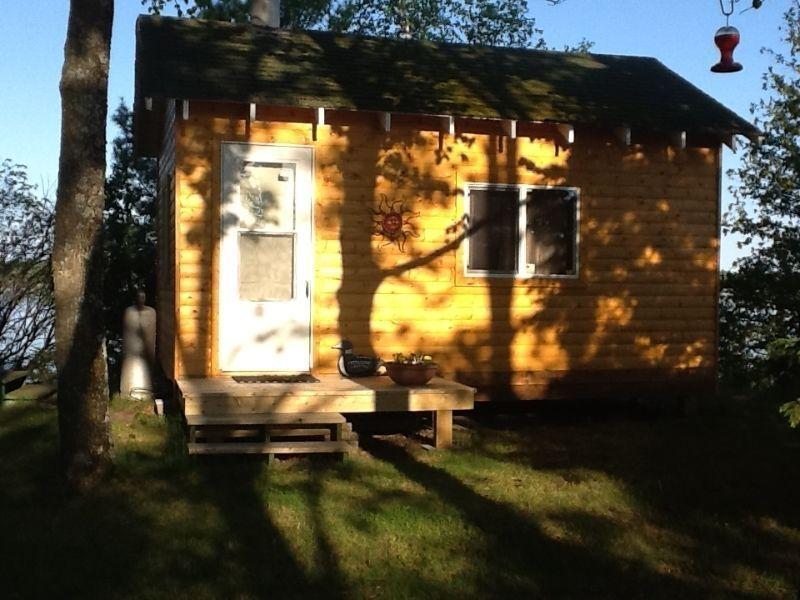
[[265, 259]]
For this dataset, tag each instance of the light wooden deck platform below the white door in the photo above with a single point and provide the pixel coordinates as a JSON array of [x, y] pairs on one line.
[[221, 400]]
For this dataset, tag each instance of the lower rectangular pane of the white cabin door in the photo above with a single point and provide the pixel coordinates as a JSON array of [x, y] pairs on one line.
[[266, 267]]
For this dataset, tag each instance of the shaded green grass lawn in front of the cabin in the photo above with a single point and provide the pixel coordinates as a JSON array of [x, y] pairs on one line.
[[554, 504]]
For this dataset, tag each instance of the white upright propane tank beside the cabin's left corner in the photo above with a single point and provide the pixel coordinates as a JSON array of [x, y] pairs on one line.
[[138, 350]]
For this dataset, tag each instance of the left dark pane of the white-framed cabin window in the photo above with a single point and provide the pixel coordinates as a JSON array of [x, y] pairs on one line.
[[494, 243]]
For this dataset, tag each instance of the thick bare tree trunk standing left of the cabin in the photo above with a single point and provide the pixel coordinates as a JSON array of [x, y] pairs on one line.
[[77, 248]]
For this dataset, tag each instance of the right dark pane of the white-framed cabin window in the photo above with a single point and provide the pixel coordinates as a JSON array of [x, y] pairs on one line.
[[551, 229]]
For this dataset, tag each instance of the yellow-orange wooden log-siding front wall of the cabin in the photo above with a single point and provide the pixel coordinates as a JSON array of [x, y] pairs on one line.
[[644, 305]]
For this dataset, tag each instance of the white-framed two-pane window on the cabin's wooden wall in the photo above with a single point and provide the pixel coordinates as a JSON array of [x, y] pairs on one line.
[[521, 231]]
